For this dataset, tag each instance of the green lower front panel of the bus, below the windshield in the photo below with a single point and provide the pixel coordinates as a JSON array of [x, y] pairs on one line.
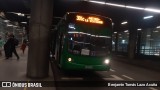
[[81, 62]]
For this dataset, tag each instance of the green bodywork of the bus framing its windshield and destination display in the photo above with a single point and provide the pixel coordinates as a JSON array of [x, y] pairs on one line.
[[82, 62]]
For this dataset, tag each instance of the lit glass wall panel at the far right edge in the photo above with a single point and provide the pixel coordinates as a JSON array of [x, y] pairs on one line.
[[150, 42]]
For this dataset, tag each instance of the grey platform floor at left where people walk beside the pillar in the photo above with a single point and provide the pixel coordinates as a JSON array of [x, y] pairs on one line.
[[15, 70]]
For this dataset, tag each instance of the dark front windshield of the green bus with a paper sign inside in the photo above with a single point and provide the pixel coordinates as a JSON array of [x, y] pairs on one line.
[[85, 43]]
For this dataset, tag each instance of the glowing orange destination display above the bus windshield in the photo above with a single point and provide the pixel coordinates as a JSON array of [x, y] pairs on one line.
[[90, 19]]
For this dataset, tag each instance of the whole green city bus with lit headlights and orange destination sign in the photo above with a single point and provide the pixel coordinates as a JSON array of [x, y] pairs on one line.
[[83, 42]]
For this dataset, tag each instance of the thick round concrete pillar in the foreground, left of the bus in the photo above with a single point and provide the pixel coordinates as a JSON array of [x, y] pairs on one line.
[[40, 22]]
